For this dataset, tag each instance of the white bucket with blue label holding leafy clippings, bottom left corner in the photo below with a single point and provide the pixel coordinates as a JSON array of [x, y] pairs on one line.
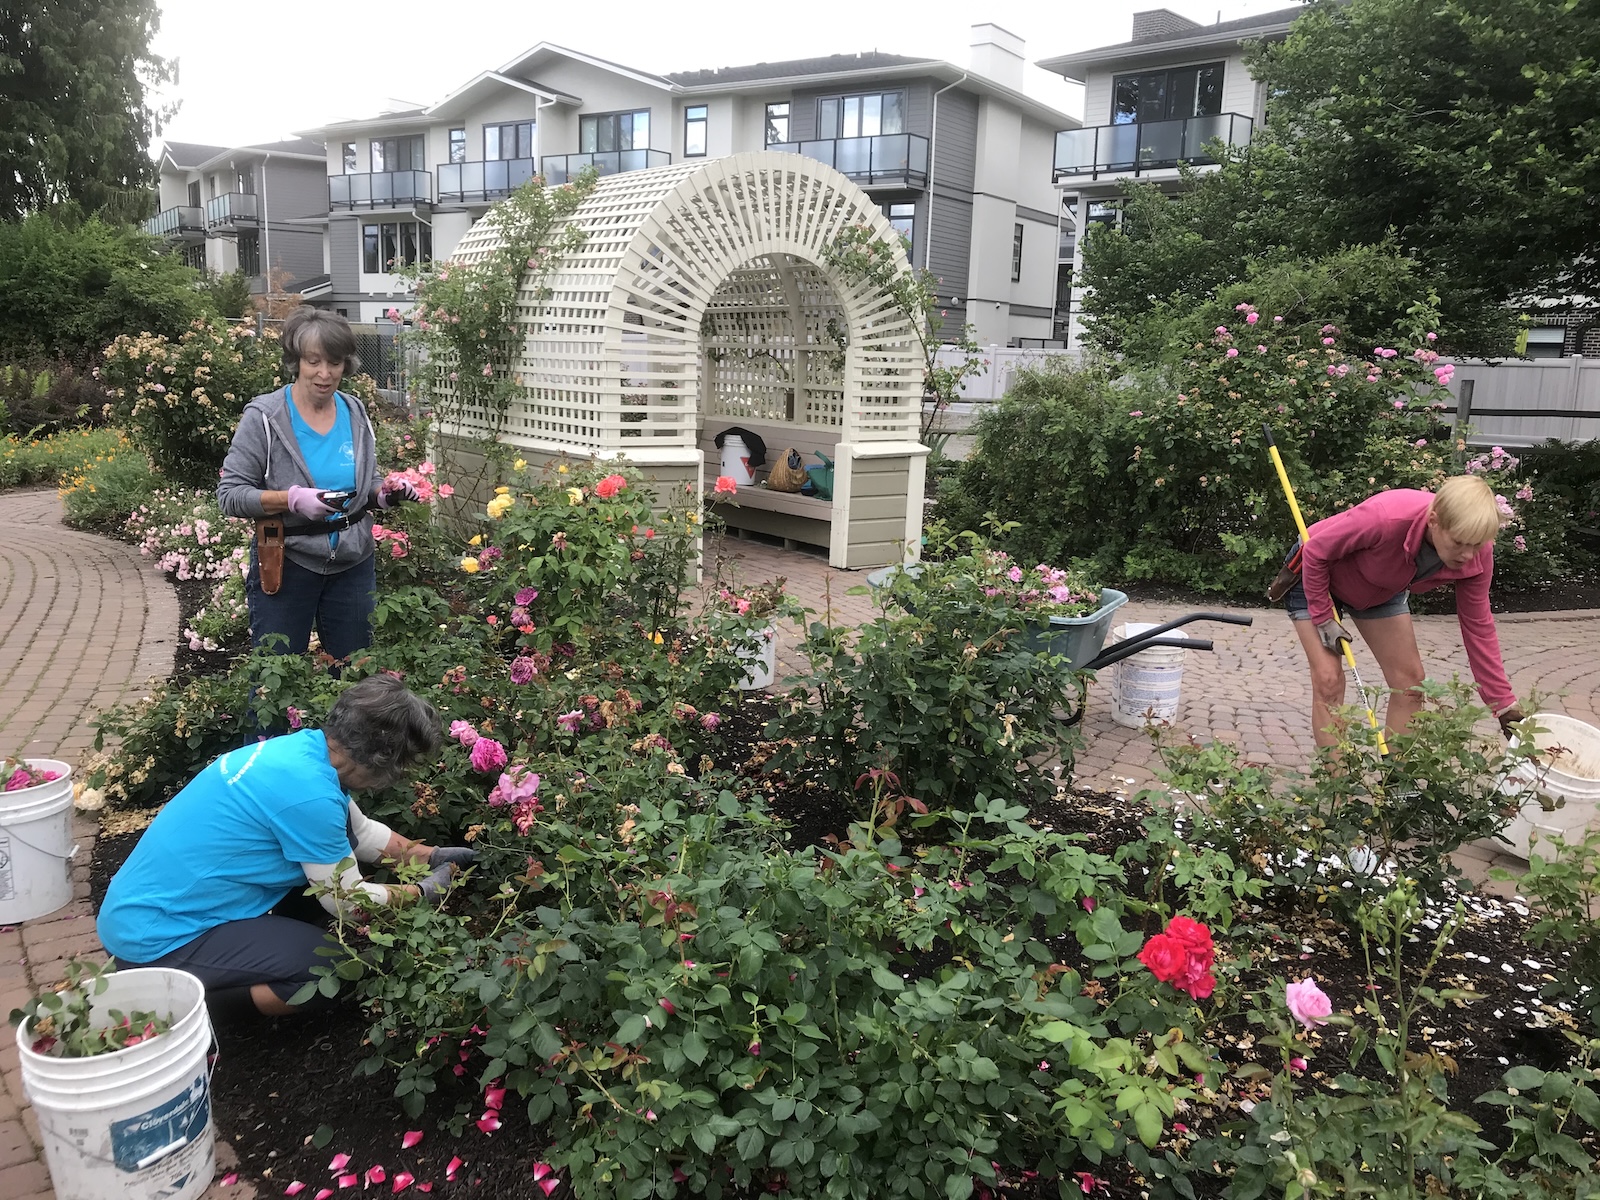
[[134, 1124]]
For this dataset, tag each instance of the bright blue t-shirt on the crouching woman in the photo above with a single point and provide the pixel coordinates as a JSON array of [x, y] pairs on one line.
[[228, 847]]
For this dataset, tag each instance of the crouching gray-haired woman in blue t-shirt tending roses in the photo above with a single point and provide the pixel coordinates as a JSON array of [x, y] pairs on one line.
[[206, 887]]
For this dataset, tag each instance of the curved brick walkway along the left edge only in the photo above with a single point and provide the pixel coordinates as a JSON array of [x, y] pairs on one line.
[[84, 623]]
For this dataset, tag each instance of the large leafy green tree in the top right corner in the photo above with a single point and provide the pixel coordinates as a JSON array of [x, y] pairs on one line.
[[1471, 129]]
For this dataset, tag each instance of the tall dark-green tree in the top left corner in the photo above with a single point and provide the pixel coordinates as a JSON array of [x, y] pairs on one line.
[[74, 110]]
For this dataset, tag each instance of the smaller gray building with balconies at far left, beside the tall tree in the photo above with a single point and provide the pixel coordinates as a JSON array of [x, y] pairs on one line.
[[246, 209]]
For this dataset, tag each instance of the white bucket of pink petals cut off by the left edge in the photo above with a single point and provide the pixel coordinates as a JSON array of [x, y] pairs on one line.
[[36, 846]]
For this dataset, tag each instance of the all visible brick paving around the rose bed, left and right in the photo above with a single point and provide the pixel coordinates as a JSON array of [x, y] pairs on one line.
[[84, 623]]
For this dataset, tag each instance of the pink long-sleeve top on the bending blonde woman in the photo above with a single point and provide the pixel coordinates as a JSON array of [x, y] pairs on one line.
[[1367, 556]]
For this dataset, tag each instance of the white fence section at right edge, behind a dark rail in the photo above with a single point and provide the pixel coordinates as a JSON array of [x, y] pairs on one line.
[[1522, 404]]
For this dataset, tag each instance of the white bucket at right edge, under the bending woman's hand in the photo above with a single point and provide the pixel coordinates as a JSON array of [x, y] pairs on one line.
[[1567, 772]]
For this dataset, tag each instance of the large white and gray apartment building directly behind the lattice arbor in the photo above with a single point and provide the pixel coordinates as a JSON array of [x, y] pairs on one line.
[[958, 158]]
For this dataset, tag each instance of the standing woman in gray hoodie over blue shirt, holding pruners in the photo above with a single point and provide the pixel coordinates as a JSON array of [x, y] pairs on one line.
[[305, 468]]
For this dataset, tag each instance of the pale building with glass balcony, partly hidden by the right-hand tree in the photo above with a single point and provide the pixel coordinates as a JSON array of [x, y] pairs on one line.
[[1151, 105]]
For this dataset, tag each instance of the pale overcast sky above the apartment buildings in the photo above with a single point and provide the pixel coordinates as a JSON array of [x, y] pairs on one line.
[[258, 73]]
